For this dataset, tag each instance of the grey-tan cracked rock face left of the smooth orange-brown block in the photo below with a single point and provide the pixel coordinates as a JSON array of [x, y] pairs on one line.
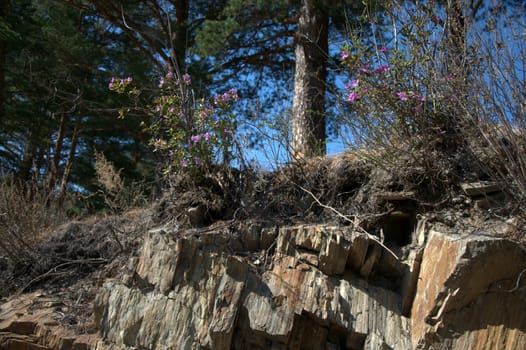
[[308, 290]]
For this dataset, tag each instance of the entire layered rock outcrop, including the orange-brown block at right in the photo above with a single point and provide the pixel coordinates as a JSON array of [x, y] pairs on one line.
[[315, 287]]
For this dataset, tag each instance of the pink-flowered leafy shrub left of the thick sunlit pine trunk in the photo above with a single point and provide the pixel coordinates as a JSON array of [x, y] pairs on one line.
[[191, 134]]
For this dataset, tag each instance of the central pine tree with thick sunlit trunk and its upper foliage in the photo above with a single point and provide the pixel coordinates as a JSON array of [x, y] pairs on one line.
[[280, 41]]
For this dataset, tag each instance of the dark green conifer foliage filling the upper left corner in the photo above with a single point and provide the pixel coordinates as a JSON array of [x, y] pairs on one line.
[[57, 65]]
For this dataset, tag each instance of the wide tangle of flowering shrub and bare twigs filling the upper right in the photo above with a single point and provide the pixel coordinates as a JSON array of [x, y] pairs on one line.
[[446, 104]]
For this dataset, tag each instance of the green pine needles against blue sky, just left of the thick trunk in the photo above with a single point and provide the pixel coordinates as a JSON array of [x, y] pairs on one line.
[[247, 36]]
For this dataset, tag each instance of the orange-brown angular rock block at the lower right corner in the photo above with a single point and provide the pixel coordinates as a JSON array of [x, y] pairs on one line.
[[469, 294]]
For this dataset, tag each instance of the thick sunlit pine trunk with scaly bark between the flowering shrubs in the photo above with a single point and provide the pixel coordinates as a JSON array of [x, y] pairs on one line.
[[308, 105]]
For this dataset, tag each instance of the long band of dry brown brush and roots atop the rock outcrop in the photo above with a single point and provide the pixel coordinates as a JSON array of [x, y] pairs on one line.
[[383, 200]]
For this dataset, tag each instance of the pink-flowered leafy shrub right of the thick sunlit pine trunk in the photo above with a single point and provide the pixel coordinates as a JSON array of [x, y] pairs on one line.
[[403, 90]]
